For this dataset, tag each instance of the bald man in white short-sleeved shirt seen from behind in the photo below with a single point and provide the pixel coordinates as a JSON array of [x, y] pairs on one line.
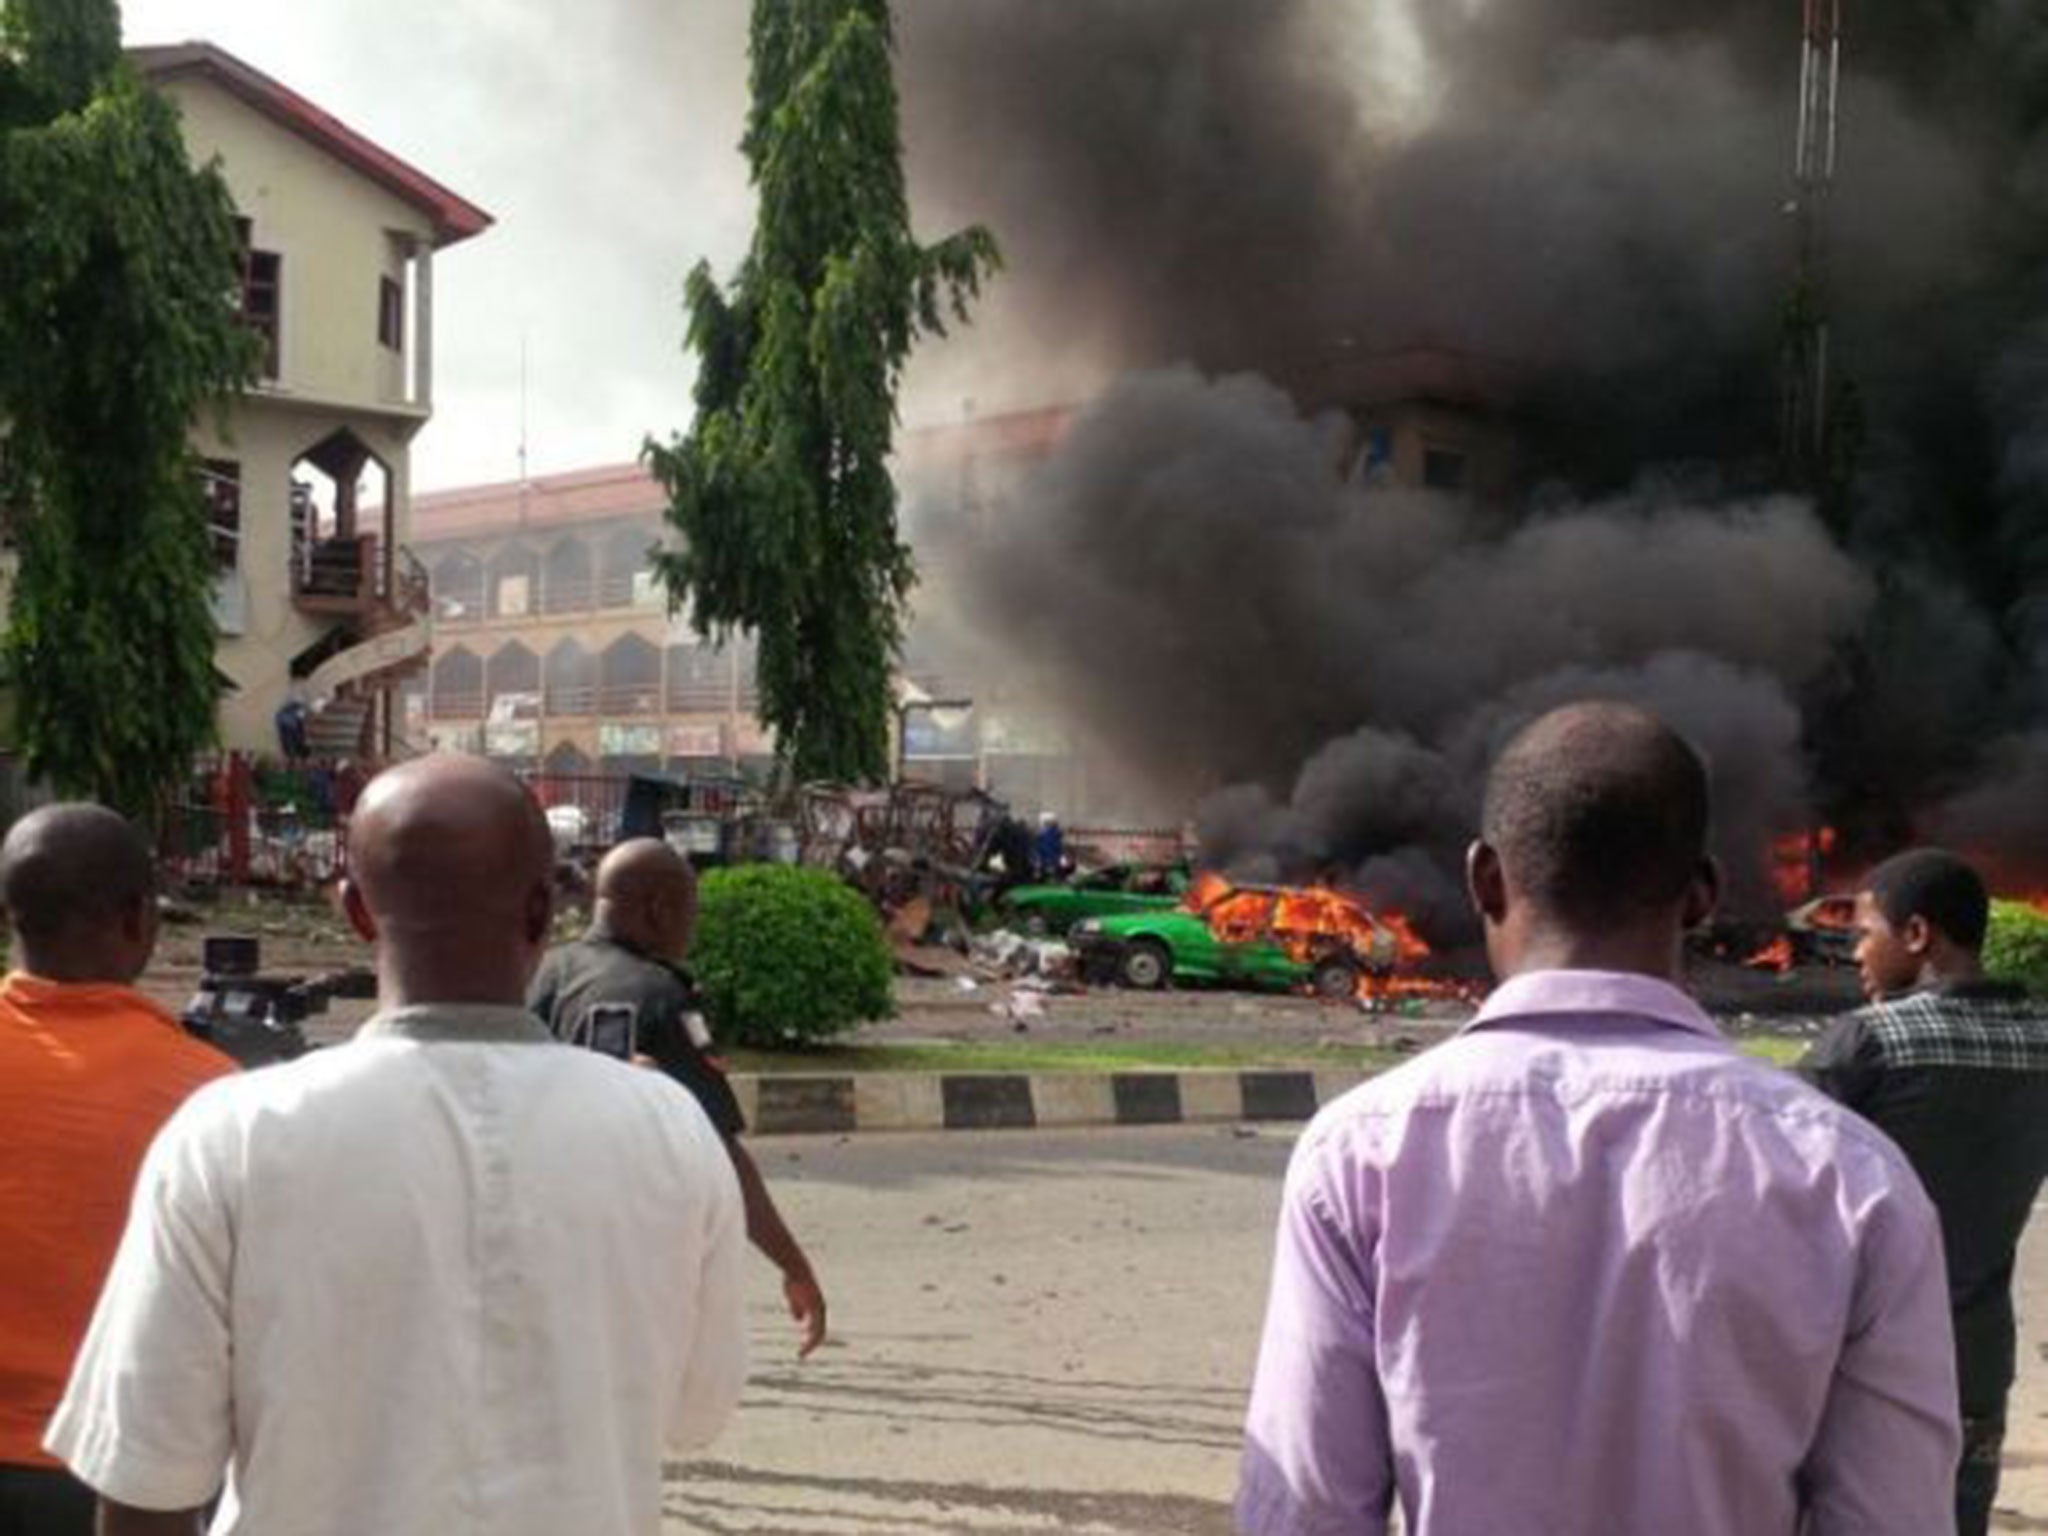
[[452, 1277]]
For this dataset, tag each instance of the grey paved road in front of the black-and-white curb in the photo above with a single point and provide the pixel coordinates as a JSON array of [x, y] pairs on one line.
[[1050, 1334]]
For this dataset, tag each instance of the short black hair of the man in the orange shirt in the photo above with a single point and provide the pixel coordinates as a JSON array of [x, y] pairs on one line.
[[71, 867]]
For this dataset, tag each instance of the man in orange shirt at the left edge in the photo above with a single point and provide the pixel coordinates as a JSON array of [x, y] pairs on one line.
[[89, 1070]]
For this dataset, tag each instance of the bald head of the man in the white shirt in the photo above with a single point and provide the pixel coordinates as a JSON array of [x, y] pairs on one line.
[[450, 873]]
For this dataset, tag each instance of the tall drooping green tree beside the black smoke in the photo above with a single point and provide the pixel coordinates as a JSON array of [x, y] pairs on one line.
[[781, 490]]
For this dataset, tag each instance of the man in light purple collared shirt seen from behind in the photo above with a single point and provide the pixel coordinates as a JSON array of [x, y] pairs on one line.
[[1586, 1269]]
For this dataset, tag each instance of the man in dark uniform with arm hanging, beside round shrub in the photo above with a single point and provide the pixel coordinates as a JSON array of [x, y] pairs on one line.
[[622, 988]]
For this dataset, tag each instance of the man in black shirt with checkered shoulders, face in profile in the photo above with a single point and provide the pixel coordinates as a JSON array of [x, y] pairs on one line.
[[1953, 1068]]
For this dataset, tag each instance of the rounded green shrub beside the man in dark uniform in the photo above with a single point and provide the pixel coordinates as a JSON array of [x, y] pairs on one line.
[[787, 957]]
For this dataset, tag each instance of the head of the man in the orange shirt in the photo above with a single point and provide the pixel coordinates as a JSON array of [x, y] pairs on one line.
[[79, 888]]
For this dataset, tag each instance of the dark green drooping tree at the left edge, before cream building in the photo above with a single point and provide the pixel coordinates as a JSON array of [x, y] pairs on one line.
[[118, 329]]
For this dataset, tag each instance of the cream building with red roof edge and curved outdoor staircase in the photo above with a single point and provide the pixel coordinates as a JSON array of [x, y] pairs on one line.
[[318, 595]]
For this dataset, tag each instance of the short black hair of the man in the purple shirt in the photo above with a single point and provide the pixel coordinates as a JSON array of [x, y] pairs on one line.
[[1598, 812]]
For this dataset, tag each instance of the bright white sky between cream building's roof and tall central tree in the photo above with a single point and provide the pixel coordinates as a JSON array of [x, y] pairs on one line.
[[601, 136]]
